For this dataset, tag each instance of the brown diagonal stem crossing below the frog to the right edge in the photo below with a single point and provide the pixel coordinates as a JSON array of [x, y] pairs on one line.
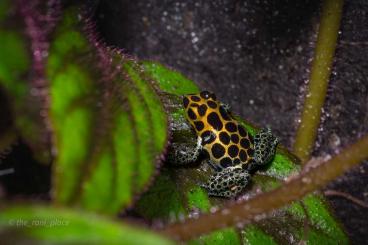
[[292, 190]]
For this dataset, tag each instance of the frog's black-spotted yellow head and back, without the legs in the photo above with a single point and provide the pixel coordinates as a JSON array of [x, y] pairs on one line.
[[225, 140]]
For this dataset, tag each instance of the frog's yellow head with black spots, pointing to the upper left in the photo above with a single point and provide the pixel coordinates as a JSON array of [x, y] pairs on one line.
[[197, 106]]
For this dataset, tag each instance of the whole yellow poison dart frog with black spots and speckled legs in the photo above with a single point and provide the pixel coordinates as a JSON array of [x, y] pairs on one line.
[[231, 151]]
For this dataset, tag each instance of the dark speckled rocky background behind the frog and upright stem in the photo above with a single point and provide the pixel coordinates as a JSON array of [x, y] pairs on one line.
[[256, 56]]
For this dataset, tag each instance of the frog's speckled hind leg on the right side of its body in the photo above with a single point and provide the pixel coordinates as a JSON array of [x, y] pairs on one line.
[[265, 144]]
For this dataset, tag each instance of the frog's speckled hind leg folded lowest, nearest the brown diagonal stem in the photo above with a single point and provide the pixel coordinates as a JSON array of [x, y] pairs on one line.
[[227, 183]]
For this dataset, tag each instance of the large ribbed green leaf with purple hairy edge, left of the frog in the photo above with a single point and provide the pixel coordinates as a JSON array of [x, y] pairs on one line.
[[109, 124]]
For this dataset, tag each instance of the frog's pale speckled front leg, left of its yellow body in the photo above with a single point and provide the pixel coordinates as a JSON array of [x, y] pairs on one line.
[[182, 154]]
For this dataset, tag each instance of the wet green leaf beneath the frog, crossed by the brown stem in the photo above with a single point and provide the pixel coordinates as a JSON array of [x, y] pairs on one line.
[[180, 195]]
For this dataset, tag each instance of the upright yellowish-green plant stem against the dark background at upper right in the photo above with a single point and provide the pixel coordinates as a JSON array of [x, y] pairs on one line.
[[320, 73]]
